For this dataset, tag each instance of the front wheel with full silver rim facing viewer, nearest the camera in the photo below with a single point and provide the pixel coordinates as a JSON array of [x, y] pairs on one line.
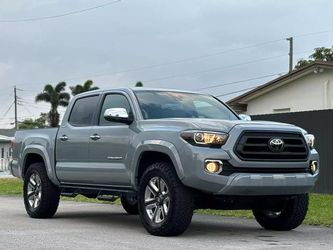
[[165, 204]]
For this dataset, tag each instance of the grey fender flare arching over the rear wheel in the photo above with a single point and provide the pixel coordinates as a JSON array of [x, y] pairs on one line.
[[41, 151]]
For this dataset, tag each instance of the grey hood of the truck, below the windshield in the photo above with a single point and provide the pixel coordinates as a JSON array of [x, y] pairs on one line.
[[207, 124]]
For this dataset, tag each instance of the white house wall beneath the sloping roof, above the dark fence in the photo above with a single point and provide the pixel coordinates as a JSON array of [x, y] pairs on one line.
[[311, 92]]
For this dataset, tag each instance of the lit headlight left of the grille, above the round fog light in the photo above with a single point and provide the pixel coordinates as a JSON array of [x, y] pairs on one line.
[[206, 139]]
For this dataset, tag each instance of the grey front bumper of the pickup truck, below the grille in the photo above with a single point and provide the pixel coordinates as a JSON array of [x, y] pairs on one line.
[[246, 183]]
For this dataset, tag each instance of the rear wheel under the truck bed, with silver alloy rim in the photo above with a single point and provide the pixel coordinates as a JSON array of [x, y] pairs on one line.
[[41, 196]]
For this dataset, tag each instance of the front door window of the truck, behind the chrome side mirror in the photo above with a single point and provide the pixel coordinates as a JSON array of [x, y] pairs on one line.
[[113, 101]]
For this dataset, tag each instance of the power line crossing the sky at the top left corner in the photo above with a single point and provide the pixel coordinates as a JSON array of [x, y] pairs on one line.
[[59, 15]]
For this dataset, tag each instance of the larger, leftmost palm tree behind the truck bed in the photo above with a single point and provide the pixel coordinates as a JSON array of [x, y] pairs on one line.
[[56, 96]]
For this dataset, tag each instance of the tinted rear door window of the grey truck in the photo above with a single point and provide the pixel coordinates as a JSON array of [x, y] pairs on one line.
[[83, 111]]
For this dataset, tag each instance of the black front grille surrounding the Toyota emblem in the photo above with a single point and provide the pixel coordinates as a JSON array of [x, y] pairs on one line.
[[254, 146]]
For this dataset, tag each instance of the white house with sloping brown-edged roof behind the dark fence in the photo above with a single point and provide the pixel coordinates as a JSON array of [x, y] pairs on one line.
[[306, 89]]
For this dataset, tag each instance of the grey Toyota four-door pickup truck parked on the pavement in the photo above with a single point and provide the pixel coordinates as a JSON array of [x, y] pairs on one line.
[[166, 153]]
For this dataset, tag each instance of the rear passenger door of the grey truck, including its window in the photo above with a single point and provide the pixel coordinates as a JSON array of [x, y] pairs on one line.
[[72, 143]]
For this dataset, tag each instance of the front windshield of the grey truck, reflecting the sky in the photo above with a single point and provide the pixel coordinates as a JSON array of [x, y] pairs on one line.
[[165, 104]]
